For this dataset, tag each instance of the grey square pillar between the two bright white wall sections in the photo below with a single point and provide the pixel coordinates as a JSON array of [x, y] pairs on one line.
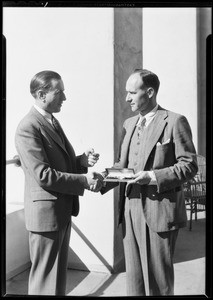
[[127, 57]]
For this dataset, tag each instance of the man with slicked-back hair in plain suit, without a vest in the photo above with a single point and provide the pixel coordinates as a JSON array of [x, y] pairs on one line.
[[54, 178]]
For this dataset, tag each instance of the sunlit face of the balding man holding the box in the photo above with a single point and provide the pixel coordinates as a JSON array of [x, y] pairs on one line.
[[137, 95]]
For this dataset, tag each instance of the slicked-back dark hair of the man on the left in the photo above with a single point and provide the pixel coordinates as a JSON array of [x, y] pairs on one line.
[[42, 81]]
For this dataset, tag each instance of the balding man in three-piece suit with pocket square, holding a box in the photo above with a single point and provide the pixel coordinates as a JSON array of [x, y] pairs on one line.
[[157, 144]]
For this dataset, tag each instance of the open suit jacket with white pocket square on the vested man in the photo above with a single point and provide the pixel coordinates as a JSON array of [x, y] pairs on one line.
[[168, 150]]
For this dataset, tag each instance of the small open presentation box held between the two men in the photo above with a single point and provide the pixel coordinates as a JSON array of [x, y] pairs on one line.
[[119, 175]]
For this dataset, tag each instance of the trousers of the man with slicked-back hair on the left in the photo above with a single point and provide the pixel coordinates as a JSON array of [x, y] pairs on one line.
[[49, 257]]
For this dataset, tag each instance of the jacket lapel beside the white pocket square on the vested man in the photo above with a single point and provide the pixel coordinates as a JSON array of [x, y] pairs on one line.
[[152, 134]]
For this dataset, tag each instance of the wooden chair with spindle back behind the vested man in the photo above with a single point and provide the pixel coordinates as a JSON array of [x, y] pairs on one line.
[[195, 190]]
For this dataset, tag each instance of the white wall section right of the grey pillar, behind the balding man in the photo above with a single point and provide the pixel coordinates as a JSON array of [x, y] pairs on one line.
[[170, 50]]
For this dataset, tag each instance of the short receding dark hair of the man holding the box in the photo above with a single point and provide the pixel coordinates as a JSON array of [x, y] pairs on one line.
[[149, 78]]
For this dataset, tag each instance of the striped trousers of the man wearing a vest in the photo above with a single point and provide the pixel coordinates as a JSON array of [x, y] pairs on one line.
[[148, 254]]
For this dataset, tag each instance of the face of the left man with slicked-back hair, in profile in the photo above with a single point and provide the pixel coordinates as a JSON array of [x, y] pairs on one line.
[[55, 97]]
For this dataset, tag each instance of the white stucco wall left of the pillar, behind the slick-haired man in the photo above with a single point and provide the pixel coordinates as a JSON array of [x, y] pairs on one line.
[[78, 44]]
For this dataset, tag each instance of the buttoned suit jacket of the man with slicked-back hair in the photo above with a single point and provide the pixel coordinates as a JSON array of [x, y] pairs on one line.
[[52, 171]]
